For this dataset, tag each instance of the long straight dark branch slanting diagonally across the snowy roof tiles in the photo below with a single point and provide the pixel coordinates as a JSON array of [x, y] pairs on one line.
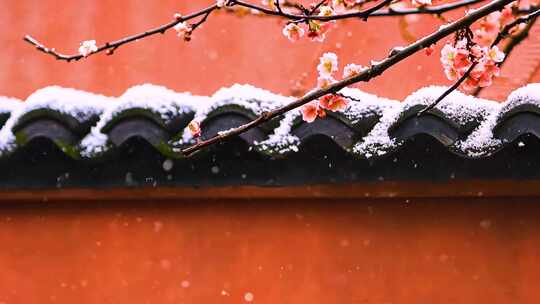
[[374, 70]]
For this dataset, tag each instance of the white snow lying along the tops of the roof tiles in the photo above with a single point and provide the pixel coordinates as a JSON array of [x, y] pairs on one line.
[[458, 107]]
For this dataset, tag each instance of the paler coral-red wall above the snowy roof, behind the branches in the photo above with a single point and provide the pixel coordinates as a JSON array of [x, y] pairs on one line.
[[226, 50]]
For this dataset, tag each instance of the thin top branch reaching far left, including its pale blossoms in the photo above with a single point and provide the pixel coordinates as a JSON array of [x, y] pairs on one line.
[[317, 20]]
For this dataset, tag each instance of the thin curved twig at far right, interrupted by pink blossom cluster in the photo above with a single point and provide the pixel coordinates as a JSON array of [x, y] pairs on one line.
[[505, 32]]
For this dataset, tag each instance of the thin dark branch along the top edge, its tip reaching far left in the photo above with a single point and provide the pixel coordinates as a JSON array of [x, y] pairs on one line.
[[111, 46]]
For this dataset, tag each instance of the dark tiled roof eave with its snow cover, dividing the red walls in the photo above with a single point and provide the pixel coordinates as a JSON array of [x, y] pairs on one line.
[[67, 138]]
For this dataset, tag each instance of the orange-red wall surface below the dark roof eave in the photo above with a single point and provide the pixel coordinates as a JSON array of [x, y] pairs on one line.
[[275, 251]]
